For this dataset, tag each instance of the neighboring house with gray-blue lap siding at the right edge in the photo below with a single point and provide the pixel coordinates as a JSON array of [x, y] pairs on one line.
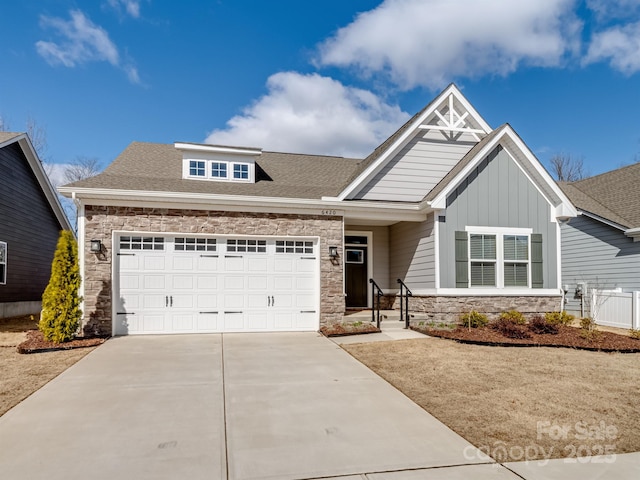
[[600, 248]]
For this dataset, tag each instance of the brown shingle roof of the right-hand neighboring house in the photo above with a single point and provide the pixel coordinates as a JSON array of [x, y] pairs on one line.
[[613, 195]]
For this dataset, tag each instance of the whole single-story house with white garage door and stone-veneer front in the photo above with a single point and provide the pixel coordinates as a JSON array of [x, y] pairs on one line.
[[206, 238]]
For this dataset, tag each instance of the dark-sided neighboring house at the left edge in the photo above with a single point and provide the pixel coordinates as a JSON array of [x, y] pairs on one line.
[[31, 218]]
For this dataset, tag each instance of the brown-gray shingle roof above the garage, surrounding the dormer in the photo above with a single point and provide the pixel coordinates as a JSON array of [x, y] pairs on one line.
[[158, 167]]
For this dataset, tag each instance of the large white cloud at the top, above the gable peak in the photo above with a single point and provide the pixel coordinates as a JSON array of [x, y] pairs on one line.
[[430, 42]]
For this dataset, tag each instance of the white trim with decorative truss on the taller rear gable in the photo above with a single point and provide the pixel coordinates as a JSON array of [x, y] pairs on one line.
[[417, 125]]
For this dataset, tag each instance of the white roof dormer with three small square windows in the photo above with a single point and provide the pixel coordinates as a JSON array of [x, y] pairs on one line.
[[216, 163]]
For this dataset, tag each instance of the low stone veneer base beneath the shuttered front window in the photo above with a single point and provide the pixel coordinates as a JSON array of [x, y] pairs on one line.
[[447, 309]]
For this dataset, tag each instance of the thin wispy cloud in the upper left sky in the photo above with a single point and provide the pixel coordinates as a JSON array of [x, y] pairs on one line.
[[81, 41]]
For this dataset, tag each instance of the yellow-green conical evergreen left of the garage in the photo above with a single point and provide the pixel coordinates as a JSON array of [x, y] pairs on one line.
[[60, 302]]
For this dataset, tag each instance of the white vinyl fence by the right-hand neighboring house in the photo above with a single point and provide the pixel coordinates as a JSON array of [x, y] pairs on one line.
[[614, 308]]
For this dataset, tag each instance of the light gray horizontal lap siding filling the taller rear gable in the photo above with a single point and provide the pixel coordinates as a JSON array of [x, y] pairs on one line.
[[417, 168]]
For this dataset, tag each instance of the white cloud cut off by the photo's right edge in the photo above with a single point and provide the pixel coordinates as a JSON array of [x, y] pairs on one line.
[[618, 45]]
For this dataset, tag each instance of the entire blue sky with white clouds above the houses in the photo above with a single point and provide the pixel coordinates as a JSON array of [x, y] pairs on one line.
[[326, 77]]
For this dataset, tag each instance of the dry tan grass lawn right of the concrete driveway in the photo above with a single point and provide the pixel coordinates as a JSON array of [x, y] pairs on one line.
[[518, 403]]
